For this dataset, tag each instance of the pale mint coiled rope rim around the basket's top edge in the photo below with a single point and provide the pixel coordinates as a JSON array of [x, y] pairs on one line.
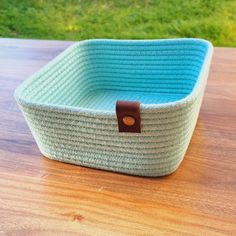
[[185, 101]]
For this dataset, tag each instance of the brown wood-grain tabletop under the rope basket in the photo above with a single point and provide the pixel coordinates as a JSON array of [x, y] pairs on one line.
[[44, 197]]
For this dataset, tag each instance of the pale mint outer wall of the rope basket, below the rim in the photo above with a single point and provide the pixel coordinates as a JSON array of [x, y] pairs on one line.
[[95, 142]]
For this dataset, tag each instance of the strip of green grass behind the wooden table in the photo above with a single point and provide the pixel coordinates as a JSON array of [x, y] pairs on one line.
[[214, 20]]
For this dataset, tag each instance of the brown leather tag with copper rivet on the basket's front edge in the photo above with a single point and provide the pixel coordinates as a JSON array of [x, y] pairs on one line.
[[128, 116]]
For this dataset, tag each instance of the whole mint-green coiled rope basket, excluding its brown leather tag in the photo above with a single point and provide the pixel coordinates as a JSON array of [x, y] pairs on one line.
[[70, 104]]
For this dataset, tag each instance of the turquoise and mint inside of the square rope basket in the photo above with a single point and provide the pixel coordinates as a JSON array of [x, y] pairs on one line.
[[95, 74]]
